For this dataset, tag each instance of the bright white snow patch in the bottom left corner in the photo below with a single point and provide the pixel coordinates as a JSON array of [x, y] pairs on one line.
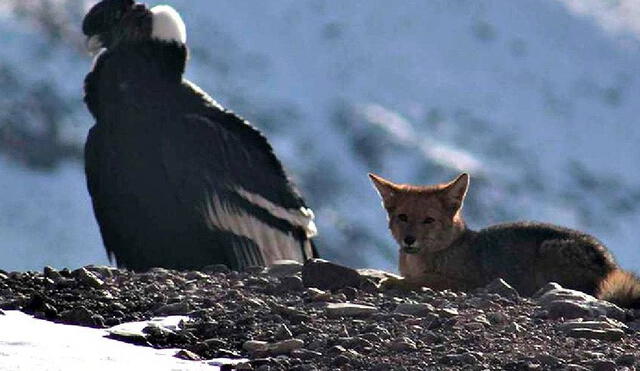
[[31, 344]]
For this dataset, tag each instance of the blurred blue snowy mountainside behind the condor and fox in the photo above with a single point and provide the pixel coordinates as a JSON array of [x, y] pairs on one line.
[[538, 99]]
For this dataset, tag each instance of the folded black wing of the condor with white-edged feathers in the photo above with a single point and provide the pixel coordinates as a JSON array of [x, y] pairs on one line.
[[224, 168]]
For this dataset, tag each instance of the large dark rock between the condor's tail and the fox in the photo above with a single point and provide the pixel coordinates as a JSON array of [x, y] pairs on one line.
[[325, 275]]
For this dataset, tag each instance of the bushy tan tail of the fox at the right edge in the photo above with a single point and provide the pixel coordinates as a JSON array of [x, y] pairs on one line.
[[621, 288]]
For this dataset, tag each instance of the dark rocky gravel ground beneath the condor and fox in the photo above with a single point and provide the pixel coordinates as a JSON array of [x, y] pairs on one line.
[[325, 316]]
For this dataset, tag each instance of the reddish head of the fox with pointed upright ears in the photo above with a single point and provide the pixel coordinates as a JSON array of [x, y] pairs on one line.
[[423, 217]]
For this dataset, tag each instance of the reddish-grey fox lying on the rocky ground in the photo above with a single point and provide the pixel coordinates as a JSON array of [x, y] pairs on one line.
[[439, 251]]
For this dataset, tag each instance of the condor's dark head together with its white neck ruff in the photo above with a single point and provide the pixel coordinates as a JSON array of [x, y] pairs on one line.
[[111, 22]]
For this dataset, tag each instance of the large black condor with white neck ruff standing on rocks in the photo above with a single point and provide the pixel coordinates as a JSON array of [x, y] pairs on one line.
[[176, 180]]
